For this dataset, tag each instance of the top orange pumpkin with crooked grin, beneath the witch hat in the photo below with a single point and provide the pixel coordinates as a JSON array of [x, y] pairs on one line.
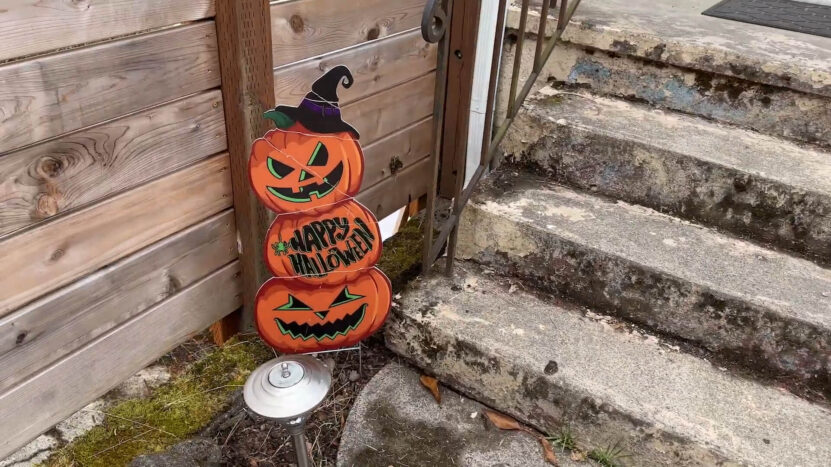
[[295, 169]]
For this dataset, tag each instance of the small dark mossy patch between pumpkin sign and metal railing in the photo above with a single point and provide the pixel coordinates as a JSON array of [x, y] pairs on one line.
[[401, 259]]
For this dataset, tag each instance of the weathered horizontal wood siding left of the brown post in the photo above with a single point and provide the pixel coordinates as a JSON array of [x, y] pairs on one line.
[[117, 236]]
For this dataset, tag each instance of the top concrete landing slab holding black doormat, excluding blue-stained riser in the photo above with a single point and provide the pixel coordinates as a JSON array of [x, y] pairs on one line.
[[675, 32]]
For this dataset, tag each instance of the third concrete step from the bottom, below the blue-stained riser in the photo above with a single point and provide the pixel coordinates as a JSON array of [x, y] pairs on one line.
[[753, 185]]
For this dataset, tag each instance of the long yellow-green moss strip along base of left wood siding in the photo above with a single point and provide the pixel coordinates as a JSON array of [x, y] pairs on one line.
[[171, 413]]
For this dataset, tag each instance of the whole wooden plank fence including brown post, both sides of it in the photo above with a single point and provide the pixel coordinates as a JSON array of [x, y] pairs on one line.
[[126, 224]]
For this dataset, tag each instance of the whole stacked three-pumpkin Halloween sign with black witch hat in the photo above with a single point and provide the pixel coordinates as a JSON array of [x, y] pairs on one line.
[[323, 246]]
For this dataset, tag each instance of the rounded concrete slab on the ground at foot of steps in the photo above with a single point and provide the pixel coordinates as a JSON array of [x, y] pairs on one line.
[[396, 421]]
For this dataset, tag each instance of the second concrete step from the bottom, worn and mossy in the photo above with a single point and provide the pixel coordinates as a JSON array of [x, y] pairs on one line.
[[768, 312]]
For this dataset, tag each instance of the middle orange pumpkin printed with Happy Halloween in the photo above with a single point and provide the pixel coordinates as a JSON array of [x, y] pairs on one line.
[[326, 248]]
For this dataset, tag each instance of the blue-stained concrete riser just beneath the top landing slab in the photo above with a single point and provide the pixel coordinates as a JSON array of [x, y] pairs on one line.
[[776, 111]]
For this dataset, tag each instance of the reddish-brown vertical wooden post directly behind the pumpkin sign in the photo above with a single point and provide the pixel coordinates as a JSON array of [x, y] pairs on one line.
[[244, 36]]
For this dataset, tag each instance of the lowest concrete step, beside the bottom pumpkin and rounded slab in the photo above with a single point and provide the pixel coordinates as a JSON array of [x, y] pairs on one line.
[[555, 366]]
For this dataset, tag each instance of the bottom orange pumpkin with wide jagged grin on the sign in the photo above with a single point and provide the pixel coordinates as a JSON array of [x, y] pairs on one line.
[[296, 317]]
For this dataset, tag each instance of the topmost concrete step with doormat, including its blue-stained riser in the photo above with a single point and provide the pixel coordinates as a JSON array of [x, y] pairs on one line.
[[667, 54]]
